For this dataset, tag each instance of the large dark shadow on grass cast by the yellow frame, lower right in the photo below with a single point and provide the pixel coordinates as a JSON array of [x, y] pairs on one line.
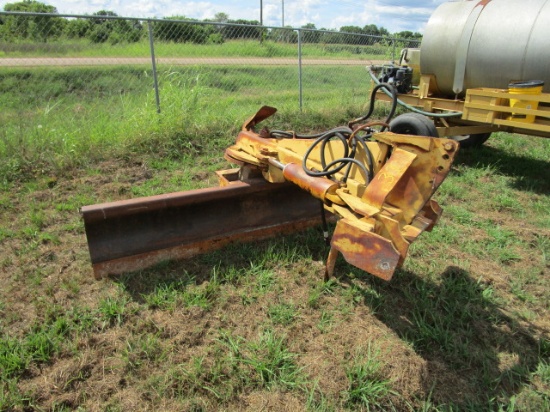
[[477, 355]]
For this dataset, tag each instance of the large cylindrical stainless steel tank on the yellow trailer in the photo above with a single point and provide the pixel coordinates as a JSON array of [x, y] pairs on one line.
[[487, 43]]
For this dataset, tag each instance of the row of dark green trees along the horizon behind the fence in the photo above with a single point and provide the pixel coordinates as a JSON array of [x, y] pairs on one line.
[[104, 27]]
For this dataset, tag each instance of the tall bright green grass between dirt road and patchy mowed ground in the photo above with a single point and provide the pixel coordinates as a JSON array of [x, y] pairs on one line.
[[58, 119]]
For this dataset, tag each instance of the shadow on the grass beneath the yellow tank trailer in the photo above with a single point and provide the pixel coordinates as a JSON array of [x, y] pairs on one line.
[[528, 174]]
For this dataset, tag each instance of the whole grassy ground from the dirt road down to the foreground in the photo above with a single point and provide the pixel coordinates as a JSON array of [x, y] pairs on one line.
[[464, 325]]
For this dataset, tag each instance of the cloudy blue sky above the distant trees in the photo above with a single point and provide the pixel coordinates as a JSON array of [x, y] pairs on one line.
[[394, 15]]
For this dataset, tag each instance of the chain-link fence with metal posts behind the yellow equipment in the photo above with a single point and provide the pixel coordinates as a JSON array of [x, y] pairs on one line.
[[79, 68]]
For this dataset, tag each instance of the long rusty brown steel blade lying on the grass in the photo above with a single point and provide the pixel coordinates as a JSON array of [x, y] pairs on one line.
[[135, 234]]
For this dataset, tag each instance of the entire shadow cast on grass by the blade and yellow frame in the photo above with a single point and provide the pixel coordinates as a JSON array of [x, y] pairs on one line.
[[477, 355]]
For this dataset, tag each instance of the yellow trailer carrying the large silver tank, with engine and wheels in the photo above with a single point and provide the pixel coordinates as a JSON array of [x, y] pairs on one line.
[[482, 67]]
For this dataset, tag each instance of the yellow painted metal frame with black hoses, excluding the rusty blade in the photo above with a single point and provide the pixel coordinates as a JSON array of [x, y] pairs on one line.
[[378, 219]]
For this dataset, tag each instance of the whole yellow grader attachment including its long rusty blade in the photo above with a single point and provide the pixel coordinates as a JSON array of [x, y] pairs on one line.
[[382, 198]]
